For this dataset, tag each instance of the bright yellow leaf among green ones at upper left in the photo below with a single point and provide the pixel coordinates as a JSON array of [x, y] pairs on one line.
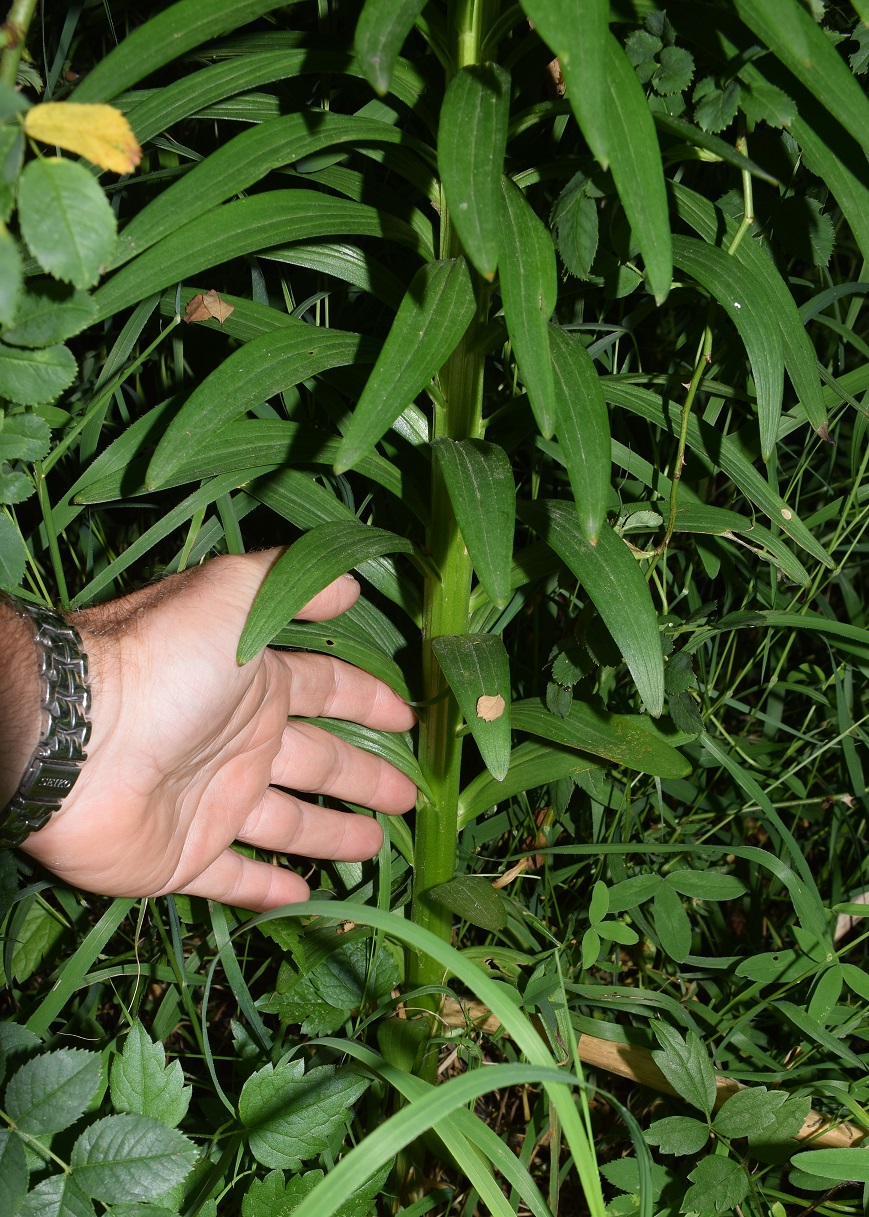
[[99, 133]]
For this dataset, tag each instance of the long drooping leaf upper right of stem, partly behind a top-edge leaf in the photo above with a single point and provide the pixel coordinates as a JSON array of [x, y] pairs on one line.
[[637, 169]]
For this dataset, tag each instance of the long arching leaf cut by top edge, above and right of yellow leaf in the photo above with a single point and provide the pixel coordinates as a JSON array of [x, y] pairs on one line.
[[165, 38]]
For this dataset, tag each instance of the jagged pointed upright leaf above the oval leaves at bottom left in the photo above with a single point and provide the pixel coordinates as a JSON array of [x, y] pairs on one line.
[[144, 1085]]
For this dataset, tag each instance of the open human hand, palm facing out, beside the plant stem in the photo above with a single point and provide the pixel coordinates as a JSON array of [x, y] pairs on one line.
[[188, 748]]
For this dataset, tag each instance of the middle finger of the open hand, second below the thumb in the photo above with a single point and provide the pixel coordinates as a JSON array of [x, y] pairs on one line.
[[319, 764]]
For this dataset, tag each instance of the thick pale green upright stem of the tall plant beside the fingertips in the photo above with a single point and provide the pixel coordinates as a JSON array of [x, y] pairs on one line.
[[458, 416]]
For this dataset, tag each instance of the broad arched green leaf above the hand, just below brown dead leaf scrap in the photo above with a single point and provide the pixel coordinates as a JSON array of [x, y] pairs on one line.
[[251, 375]]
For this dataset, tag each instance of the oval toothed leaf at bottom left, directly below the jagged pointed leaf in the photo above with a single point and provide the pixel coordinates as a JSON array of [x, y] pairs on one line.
[[125, 1159]]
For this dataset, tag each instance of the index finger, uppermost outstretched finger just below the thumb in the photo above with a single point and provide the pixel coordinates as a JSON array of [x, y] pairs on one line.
[[326, 687]]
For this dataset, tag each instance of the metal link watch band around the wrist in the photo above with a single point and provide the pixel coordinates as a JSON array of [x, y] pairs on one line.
[[65, 731]]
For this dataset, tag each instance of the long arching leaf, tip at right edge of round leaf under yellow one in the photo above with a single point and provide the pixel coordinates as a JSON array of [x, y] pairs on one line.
[[237, 165]]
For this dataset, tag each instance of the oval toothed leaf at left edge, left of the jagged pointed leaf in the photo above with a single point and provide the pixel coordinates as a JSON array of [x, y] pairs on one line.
[[52, 1092]]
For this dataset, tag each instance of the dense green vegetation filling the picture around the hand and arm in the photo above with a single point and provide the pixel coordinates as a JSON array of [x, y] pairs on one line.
[[550, 321]]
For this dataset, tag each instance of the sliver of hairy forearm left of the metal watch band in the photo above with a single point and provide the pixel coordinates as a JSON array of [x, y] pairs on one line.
[[20, 699]]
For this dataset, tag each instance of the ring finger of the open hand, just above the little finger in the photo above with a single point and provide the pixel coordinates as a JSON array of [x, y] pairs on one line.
[[290, 826]]
